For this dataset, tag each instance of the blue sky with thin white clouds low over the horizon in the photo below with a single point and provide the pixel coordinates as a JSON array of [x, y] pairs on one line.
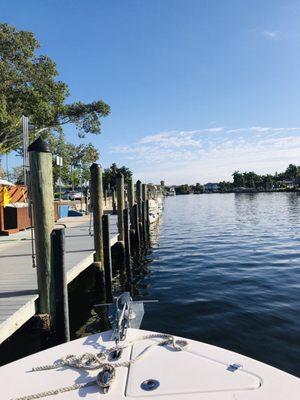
[[198, 88]]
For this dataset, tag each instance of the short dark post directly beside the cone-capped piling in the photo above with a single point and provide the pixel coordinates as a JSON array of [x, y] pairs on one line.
[[60, 285]]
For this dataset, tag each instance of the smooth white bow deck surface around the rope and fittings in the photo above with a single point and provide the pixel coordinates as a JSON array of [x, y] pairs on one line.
[[200, 371]]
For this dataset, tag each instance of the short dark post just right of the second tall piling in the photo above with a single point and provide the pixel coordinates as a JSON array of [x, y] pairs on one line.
[[107, 256]]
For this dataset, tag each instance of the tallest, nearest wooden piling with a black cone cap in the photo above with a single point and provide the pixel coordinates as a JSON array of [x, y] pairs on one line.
[[41, 189]]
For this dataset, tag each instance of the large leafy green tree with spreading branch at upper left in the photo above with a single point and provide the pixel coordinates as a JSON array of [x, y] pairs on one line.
[[29, 86]]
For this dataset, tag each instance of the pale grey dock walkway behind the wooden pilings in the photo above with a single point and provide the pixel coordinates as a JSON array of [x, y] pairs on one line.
[[18, 279]]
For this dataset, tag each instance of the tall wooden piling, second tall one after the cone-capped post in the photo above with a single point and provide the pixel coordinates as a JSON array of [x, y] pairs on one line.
[[97, 204]]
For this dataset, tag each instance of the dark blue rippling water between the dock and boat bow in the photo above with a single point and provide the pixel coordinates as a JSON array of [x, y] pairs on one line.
[[225, 269]]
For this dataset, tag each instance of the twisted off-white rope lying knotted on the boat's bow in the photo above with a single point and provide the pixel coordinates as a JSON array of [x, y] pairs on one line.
[[90, 361]]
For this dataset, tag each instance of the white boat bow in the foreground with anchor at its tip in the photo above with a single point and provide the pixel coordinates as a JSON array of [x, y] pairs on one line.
[[128, 363]]
